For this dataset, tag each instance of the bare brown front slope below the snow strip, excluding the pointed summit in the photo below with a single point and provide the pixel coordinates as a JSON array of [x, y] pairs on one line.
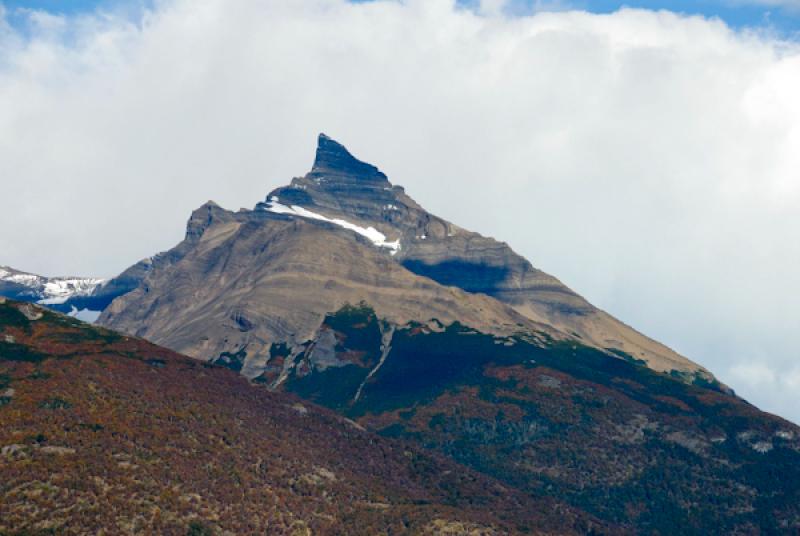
[[243, 281]]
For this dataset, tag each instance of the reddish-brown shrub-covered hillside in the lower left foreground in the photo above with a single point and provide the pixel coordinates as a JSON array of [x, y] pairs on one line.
[[107, 434]]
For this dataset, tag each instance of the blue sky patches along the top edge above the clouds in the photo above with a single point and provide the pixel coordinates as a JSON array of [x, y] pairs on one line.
[[782, 16]]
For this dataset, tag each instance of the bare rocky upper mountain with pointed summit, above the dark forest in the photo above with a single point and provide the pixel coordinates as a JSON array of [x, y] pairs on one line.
[[302, 253]]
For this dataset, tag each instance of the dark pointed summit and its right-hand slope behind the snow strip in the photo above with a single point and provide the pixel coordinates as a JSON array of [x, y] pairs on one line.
[[341, 186]]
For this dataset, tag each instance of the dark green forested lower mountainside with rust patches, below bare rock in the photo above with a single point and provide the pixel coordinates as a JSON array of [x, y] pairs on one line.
[[607, 435]]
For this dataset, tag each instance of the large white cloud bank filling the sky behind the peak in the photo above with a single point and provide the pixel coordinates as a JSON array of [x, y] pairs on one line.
[[647, 159]]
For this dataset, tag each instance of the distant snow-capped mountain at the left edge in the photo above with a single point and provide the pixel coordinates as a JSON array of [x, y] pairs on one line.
[[55, 292]]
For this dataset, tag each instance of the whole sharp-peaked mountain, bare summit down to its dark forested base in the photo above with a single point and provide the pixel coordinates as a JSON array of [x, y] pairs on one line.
[[340, 289]]
